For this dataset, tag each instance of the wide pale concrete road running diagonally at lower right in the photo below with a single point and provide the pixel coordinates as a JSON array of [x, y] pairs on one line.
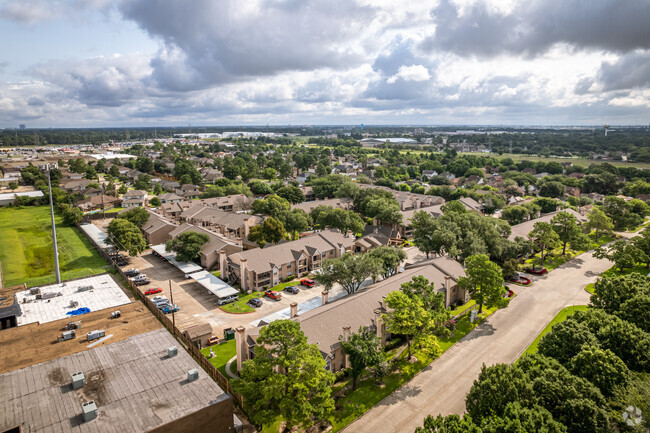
[[442, 386]]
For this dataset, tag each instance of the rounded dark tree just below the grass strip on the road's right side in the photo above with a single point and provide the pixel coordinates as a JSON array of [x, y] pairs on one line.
[[565, 341]]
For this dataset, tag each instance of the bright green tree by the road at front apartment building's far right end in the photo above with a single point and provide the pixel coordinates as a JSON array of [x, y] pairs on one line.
[[484, 281]]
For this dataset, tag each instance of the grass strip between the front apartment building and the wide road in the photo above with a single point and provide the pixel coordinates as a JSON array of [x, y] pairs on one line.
[[355, 403]]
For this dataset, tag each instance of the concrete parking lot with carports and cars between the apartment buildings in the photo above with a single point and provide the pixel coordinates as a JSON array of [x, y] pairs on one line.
[[197, 305]]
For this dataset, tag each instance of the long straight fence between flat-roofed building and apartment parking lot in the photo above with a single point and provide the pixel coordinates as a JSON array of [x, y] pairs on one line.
[[167, 323]]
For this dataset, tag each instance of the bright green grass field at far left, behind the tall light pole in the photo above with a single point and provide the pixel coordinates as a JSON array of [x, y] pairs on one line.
[[26, 250]]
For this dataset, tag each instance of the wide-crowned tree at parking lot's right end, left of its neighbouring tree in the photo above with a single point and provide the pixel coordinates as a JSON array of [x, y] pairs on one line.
[[350, 271]]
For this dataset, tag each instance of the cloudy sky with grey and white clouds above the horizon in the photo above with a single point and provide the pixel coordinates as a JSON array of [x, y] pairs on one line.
[[102, 63]]
